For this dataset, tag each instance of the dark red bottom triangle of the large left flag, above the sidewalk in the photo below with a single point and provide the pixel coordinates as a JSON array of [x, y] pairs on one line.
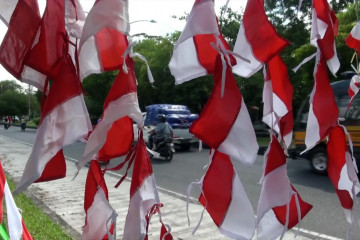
[[54, 169]]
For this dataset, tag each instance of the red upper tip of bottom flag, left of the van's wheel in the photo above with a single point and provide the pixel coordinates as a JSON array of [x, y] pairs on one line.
[[276, 157]]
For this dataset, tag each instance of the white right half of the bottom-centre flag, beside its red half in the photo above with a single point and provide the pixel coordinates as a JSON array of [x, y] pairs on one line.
[[239, 222]]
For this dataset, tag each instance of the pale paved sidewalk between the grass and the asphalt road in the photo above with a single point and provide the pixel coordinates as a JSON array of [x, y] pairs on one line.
[[62, 200]]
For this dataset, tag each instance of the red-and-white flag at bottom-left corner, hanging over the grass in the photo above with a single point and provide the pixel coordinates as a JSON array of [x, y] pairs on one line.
[[16, 226]]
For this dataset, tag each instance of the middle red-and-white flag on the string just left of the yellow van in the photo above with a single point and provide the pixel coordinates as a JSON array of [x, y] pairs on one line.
[[277, 98]]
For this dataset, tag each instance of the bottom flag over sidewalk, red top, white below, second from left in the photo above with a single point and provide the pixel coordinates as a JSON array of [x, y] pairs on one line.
[[97, 206]]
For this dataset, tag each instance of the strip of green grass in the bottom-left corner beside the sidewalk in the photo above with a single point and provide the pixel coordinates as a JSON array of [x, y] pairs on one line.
[[40, 226]]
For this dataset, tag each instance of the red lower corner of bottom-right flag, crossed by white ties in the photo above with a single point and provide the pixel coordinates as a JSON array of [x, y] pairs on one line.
[[280, 212]]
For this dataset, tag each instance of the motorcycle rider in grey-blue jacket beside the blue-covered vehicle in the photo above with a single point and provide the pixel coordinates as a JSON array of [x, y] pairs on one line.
[[162, 132]]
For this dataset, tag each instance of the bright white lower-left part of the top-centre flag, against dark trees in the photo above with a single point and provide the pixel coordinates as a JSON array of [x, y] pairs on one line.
[[184, 64]]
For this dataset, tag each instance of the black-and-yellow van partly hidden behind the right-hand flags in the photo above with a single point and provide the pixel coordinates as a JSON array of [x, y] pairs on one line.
[[348, 116]]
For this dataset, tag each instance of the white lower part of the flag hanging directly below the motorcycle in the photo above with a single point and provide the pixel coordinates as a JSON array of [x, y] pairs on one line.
[[140, 203]]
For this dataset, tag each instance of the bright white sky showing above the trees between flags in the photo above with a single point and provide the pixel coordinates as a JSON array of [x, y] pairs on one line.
[[141, 12]]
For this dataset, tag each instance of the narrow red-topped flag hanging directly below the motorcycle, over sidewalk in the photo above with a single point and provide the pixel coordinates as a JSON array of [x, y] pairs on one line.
[[143, 194]]
